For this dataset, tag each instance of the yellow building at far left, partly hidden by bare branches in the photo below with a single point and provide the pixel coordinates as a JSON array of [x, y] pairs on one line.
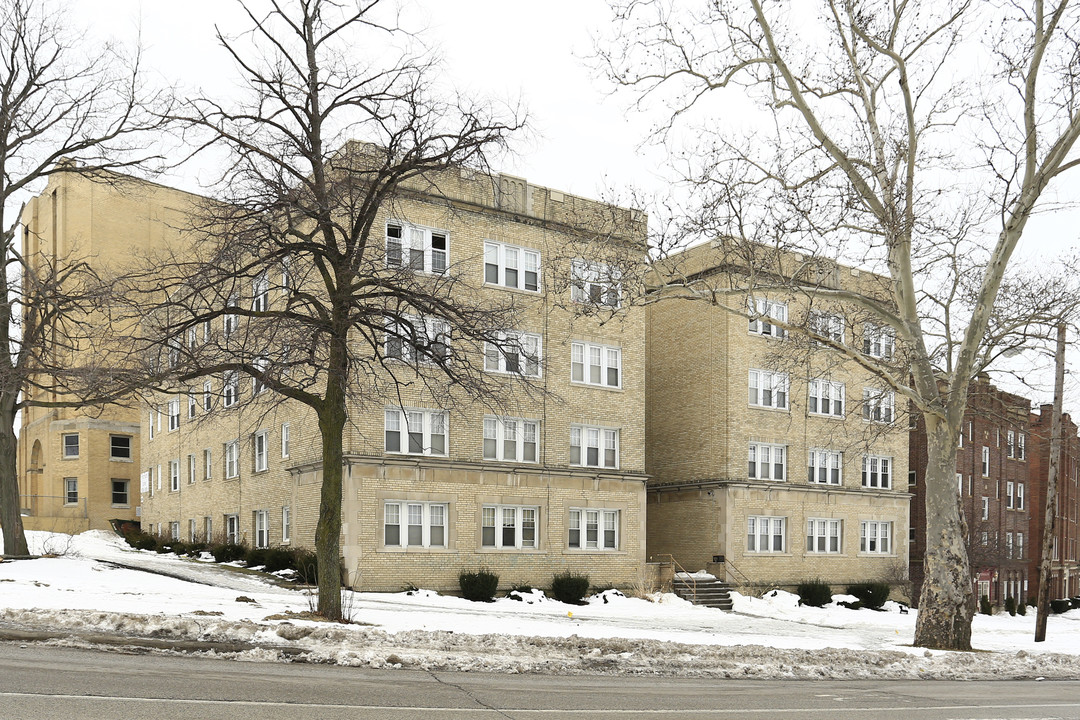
[[78, 469]]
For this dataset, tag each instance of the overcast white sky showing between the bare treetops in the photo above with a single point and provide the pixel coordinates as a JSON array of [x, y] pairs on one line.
[[585, 142]]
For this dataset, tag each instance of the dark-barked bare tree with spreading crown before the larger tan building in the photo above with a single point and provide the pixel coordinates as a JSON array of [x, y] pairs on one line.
[[341, 124]]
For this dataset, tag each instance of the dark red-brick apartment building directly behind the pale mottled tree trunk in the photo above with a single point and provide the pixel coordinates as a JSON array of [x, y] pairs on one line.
[[993, 487]]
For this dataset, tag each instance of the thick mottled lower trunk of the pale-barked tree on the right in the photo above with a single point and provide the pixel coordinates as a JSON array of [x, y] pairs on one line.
[[947, 606]]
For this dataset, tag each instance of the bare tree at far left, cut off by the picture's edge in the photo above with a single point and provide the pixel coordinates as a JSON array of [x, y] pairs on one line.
[[64, 108]]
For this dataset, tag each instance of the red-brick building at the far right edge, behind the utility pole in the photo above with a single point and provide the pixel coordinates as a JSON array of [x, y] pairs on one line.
[[1064, 563]]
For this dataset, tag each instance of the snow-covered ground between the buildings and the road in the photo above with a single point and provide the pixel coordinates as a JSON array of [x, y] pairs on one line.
[[86, 590]]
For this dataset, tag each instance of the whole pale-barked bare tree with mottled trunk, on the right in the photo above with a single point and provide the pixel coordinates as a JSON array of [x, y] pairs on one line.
[[872, 144]]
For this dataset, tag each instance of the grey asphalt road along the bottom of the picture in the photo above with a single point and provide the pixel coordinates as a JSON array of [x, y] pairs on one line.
[[47, 684]]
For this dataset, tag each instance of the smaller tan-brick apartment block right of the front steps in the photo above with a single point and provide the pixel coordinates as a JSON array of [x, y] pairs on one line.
[[772, 460]]
